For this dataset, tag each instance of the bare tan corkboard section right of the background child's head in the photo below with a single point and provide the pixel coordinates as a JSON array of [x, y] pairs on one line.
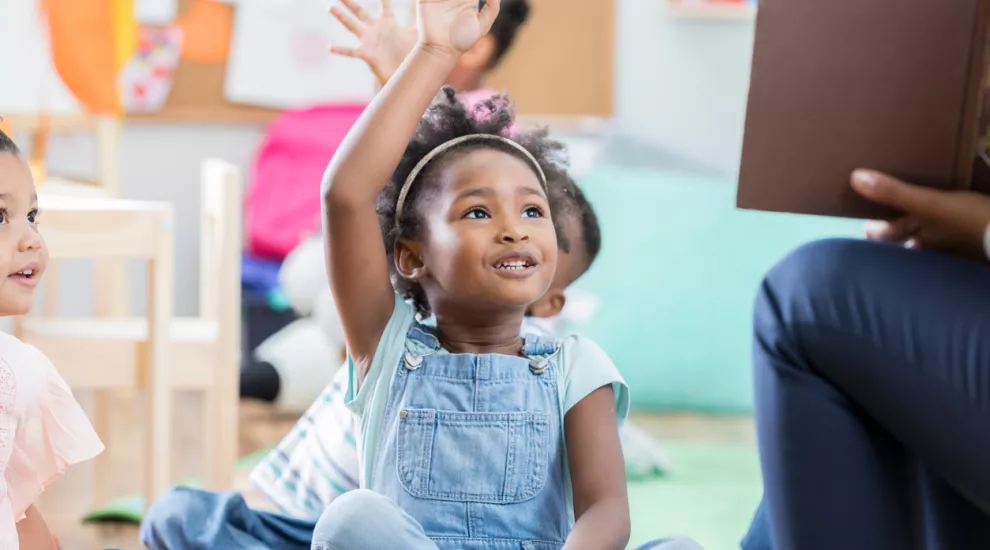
[[562, 62]]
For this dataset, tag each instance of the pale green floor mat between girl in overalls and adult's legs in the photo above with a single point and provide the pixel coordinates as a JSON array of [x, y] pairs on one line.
[[710, 495]]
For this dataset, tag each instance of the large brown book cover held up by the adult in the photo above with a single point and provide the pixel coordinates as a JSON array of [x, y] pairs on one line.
[[892, 85]]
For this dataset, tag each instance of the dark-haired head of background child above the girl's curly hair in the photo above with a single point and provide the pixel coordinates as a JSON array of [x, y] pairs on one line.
[[491, 49]]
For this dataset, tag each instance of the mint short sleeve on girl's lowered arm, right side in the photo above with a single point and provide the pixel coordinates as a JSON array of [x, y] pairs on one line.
[[584, 368]]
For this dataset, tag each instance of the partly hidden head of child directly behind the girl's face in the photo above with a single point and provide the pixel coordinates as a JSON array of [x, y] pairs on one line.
[[581, 240]]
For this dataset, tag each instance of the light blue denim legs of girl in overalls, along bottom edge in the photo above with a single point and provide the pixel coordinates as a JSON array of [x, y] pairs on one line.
[[365, 520]]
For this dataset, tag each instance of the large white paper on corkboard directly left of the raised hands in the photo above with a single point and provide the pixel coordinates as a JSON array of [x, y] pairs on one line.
[[279, 55]]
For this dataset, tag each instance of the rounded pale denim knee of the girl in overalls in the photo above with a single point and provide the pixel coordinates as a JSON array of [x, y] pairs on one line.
[[354, 521]]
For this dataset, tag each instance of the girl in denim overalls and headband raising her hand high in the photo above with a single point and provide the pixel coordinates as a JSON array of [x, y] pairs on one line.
[[471, 437]]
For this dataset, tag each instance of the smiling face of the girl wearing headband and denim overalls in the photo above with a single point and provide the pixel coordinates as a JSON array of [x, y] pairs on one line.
[[489, 243]]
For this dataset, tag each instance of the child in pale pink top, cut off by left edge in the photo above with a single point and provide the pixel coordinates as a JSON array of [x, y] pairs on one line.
[[42, 428]]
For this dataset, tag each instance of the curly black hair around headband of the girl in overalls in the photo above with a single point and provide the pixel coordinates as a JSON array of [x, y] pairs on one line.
[[446, 119]]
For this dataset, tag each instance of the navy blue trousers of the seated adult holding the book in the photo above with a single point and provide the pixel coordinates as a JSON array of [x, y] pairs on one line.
[[872, 378]]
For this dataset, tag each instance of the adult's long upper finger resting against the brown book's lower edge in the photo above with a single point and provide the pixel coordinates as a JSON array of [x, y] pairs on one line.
[[890, 191]]
